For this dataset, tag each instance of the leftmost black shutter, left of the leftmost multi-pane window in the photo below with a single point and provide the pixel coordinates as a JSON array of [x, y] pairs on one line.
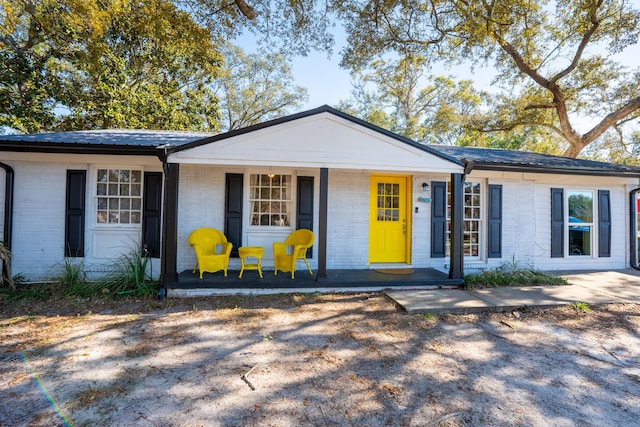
[[74, 213]]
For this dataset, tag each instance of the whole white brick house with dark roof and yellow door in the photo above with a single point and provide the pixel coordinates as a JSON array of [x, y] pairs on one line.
[[372, 197]]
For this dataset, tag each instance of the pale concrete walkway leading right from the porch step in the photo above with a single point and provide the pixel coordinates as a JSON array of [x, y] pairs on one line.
[[594, 287]]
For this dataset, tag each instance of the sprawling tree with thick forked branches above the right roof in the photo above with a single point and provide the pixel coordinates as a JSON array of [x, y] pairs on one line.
[[559, 53]]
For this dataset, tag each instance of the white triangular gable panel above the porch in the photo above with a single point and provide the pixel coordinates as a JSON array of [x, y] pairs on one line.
[[322, 140]]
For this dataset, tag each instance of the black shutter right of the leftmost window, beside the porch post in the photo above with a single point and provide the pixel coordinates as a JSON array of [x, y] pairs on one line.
[[152, 213]]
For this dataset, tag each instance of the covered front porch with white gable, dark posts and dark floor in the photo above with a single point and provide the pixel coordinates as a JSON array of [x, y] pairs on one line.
[[331, 161]]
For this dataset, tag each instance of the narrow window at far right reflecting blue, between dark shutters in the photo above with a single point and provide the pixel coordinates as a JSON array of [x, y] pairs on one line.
[[580, 222]]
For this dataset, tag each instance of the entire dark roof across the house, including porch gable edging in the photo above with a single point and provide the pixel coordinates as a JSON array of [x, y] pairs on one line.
[[145, 142]]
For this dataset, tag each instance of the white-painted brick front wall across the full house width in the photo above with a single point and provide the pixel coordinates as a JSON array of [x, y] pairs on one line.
[[39, 199]]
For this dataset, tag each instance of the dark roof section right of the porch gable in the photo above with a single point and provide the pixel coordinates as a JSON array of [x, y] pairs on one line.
[[521, 161]]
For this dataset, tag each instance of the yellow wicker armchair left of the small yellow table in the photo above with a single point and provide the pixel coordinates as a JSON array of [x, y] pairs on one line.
[[212, 250]]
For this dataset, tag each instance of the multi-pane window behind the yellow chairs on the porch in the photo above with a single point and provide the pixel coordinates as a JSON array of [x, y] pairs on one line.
[[270, 200]]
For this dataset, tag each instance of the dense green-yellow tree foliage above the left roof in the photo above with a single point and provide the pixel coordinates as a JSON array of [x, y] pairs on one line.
[[82, 64]]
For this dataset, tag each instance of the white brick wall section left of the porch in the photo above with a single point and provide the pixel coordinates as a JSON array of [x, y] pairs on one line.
[[39, 215]]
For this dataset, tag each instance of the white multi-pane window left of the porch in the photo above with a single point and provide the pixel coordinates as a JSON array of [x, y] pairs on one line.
[[119, 196]]
